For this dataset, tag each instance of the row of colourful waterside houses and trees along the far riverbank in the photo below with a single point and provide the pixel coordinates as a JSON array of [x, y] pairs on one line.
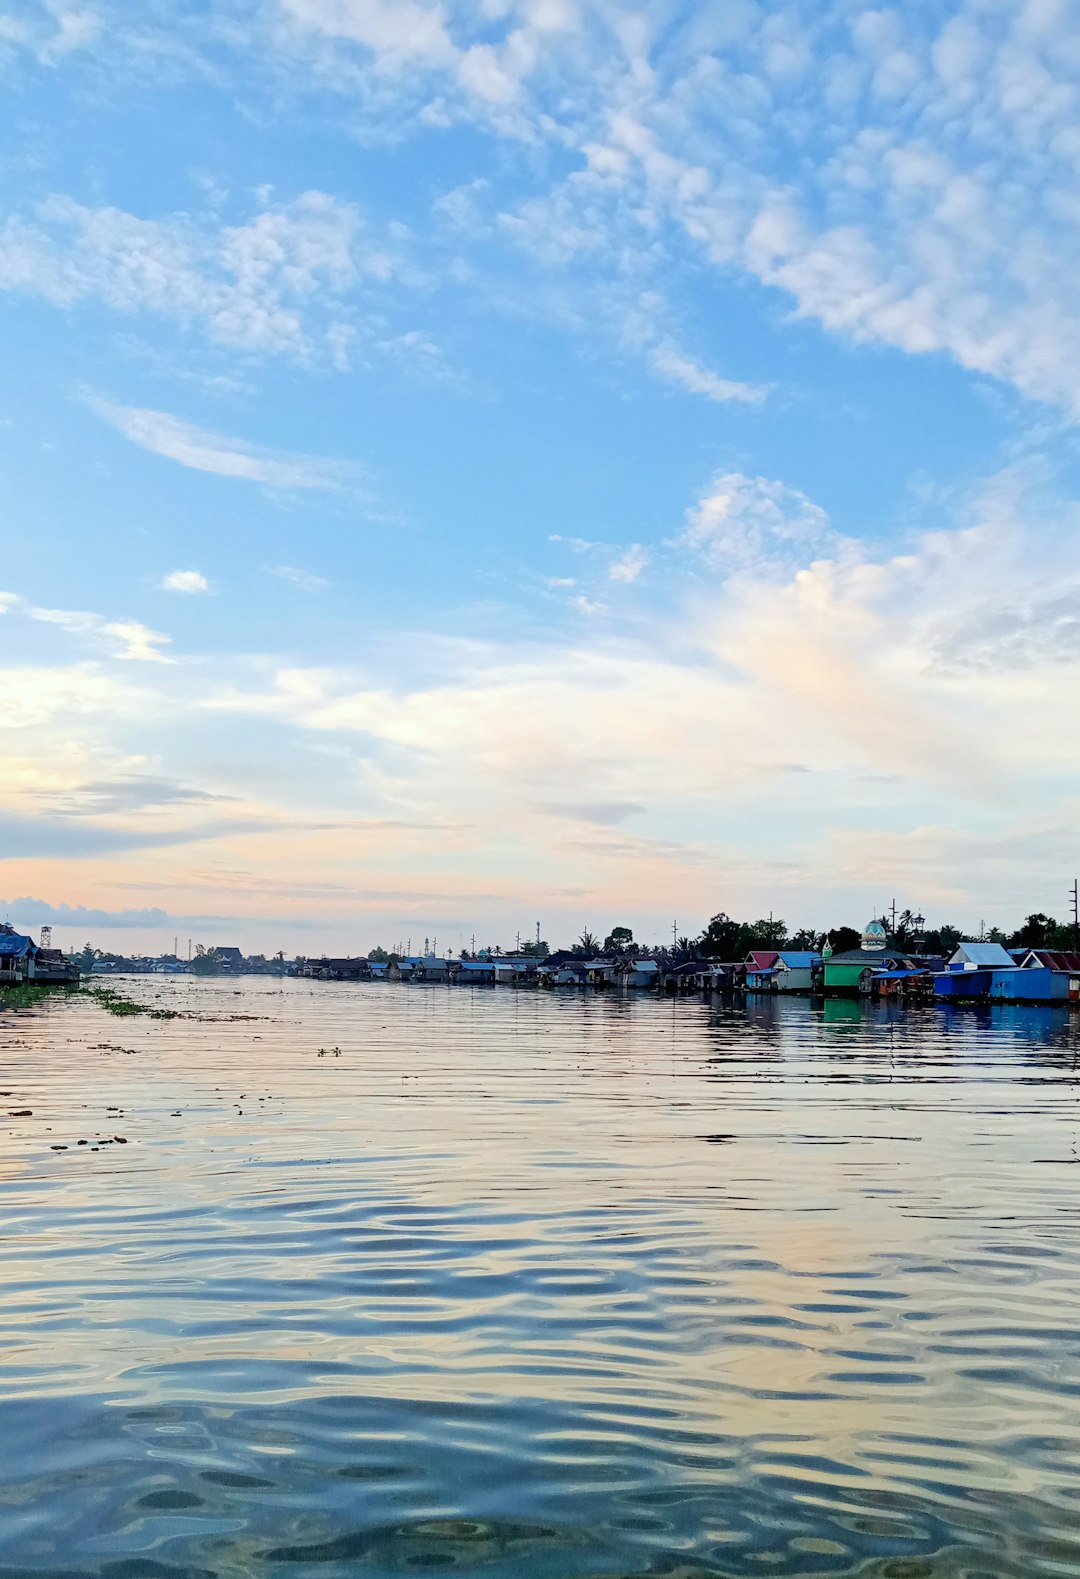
[[882, 962]]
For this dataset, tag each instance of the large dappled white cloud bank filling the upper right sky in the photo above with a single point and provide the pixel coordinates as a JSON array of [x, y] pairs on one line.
[[902, 179]]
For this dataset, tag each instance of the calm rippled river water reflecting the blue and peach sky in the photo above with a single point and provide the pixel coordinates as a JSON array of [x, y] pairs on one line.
[[418, 1280]]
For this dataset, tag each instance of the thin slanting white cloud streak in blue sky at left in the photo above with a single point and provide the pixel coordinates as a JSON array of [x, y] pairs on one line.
[[208, 452]]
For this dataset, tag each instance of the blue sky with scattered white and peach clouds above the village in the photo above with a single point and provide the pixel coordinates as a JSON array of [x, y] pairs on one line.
[[568, 462]]
